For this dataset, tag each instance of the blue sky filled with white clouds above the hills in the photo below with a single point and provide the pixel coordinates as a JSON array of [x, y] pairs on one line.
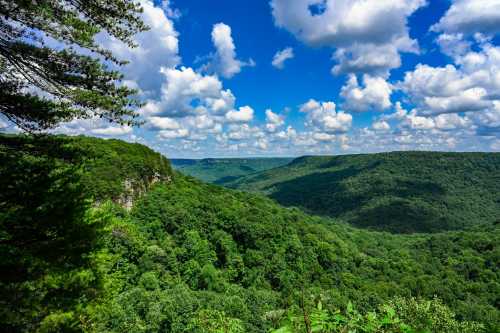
[[227, 78]]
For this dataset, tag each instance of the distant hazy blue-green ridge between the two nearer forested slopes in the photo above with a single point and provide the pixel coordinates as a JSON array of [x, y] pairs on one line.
[[223, 170]]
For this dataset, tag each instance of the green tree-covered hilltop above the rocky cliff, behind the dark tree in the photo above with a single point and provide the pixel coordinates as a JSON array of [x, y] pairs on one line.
[[106, 164]]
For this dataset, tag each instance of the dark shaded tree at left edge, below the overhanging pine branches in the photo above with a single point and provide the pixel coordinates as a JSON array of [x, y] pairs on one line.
[[45, 233]]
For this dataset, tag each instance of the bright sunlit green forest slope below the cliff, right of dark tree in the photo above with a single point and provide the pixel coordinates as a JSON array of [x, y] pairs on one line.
[[194, 252]]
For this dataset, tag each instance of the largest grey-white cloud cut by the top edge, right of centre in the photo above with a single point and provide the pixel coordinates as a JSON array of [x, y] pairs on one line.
[[368, 35]]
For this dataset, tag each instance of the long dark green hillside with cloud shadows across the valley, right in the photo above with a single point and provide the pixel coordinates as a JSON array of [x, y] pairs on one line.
[[398, 192]]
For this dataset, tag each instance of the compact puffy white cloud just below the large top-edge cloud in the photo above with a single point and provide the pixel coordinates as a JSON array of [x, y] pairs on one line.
[[375, 95]]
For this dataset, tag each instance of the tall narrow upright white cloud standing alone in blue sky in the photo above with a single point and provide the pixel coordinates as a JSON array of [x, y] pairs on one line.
[[224, 60]]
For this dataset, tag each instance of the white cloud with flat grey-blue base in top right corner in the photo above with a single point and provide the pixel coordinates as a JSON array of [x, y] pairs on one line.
[[471, 16]]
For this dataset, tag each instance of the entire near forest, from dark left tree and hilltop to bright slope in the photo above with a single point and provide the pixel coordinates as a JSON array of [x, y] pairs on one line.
[[193, 257]]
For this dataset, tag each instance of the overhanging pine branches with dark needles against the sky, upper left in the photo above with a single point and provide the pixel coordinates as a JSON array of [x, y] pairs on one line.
[[42, 85]]
